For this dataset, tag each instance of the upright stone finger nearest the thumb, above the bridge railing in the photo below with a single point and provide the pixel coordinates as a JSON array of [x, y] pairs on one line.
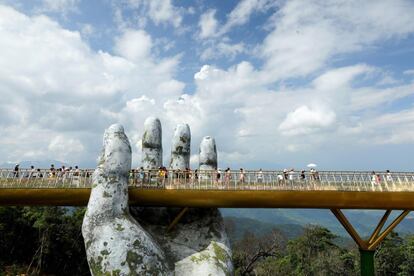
[[152, 144]]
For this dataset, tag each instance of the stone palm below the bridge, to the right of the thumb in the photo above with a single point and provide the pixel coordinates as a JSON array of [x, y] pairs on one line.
[[197, 245]]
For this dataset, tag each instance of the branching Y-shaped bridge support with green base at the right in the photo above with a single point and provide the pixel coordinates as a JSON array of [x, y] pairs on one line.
[[367, 247]]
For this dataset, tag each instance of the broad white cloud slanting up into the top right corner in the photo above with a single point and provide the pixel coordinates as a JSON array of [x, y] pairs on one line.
[[307, 34]]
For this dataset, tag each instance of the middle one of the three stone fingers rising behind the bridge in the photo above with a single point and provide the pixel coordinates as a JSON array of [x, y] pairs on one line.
[[180, 147]]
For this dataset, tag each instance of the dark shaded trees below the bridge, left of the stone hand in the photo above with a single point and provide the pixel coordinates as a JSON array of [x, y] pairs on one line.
[[43, 240]]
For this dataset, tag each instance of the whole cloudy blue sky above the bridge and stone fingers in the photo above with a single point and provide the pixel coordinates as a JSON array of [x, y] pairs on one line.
[[277, 83]]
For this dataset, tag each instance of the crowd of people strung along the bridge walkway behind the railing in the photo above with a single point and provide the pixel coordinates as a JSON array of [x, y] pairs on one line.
[[186, 176]]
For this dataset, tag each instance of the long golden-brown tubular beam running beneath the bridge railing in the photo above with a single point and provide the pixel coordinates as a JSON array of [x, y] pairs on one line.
[[218, 198]]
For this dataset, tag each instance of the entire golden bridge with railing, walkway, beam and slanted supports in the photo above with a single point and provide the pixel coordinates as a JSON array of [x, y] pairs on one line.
[[334, 190]]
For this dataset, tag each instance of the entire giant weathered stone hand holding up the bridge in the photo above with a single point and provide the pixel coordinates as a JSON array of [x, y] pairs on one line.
[[197, 245]]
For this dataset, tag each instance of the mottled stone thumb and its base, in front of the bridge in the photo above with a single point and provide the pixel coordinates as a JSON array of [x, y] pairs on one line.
[[115, 243]]
